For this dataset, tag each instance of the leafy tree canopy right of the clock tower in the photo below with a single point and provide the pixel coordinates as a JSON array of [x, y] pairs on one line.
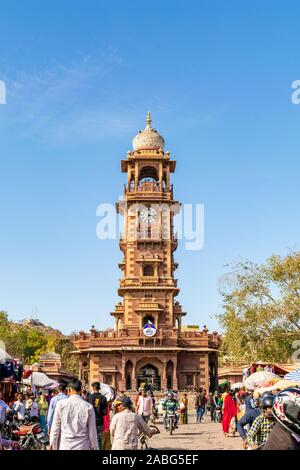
[[261, 309]]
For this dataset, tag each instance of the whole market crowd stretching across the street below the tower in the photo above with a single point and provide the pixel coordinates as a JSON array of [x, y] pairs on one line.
[[77, 419]]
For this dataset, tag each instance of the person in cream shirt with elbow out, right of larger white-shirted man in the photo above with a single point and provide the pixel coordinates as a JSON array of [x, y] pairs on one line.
[[125, 425]]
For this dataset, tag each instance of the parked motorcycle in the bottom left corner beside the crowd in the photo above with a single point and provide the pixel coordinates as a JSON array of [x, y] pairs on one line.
[[30, 437]]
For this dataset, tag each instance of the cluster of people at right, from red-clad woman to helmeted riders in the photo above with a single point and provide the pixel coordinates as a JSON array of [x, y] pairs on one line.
[[267, 422]]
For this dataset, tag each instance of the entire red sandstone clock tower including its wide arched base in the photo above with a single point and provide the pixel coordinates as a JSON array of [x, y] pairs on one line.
[[149, 345]]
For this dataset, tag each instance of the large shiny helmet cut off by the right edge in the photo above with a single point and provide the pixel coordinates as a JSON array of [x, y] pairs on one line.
[[286, 409]]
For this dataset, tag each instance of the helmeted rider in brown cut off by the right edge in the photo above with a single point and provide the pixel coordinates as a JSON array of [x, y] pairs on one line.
[[285, 435]]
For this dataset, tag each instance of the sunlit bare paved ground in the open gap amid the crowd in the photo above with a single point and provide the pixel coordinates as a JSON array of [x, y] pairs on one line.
[[195, 436]]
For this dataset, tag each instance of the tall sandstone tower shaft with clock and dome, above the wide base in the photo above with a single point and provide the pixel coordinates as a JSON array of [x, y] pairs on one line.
[[148, 286]]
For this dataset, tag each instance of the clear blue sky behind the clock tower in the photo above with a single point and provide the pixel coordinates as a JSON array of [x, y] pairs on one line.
[[80, 78]]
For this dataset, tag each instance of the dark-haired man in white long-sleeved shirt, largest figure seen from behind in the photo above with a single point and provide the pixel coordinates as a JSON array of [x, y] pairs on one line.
[[74, 423]]
